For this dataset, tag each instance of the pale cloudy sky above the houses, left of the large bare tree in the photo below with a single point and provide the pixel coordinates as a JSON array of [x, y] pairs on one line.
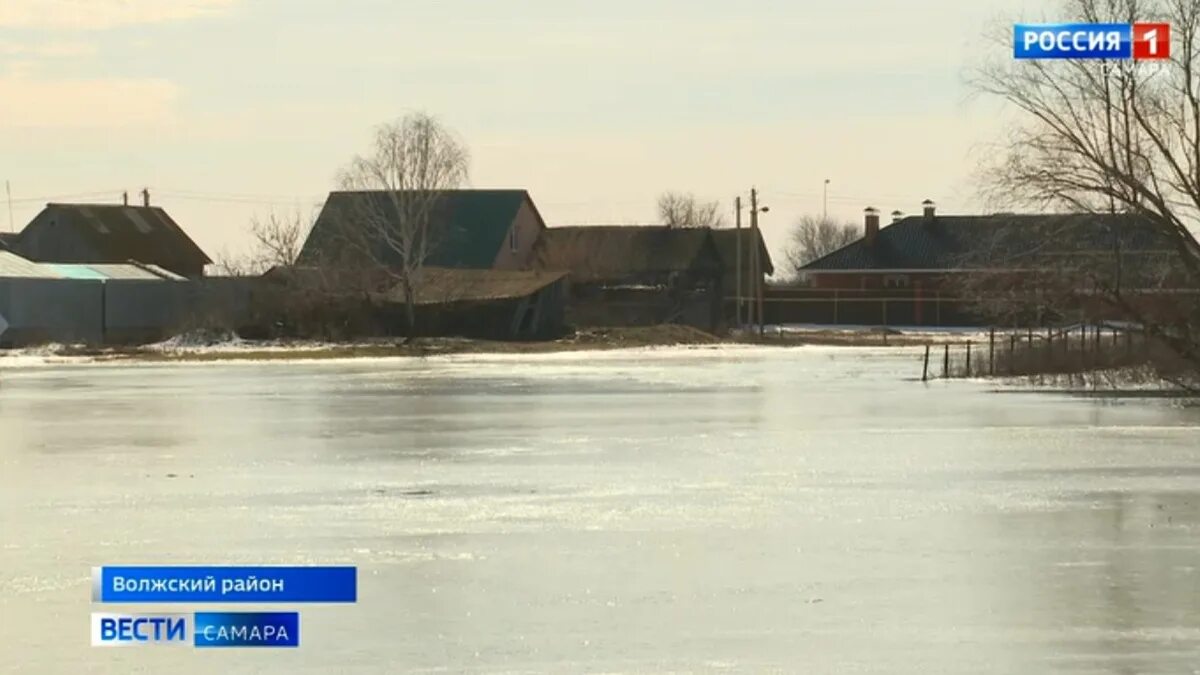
[[226, 110]]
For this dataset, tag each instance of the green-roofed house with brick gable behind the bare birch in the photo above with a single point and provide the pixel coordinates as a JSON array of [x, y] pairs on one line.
[[470, 229]]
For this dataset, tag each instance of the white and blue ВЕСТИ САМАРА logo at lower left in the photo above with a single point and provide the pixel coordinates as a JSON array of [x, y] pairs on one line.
[[208, 630]]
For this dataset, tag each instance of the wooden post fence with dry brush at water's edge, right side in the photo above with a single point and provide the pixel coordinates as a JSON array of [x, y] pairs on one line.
[[1051, 351]]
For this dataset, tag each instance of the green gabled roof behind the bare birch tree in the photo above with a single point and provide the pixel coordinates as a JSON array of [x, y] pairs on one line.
[[471, 226]]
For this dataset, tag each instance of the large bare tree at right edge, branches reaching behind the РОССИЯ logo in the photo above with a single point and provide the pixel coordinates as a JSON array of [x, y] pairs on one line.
[[1108, 138]]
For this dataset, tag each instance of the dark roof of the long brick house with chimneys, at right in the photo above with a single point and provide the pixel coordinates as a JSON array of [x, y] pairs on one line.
[[1003, 241]]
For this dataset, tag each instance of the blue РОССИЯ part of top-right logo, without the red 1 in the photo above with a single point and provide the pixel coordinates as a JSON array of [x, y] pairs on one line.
[[1073, 41]]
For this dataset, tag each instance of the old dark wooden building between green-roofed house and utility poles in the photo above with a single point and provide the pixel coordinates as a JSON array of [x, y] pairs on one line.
[[635, 276]]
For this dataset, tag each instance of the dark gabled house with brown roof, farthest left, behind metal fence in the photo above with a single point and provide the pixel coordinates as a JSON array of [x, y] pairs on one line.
[[113, 235]]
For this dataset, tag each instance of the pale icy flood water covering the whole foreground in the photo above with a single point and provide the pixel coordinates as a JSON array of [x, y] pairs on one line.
[[809, 510]]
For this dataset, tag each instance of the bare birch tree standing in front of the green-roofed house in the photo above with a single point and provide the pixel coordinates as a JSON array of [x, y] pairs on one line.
[[406, 175]]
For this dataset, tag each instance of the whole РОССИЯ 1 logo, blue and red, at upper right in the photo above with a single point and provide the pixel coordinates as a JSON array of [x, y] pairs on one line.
[[1142, 41]]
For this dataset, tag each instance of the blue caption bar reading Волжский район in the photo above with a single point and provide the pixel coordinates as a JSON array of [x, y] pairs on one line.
[[225, 584]]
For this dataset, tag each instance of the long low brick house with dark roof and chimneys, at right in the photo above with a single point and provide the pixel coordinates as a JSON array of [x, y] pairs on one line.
[[945, 271]]
